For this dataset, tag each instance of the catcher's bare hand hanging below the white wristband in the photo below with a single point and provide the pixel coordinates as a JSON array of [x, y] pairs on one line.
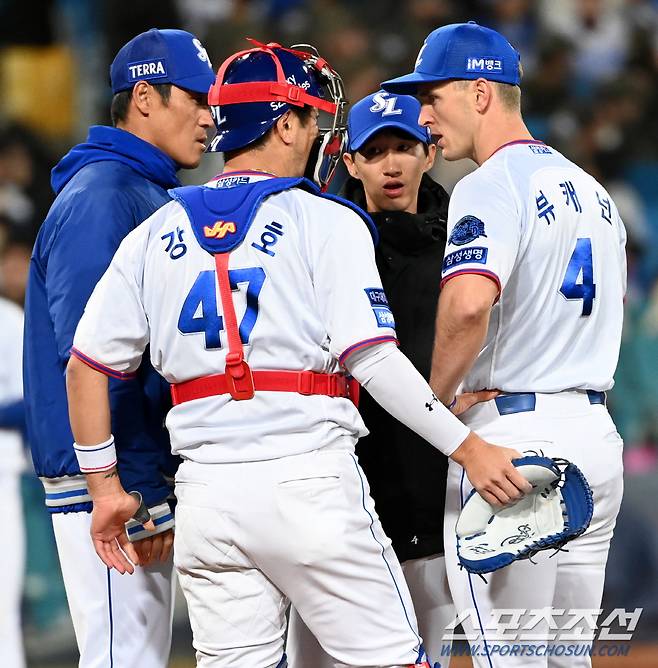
[[108, 531]]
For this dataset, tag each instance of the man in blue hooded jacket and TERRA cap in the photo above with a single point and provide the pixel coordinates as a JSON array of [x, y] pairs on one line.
[[105, 188]]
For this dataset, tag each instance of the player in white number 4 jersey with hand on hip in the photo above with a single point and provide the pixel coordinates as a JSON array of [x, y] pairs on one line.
[[533, 283]]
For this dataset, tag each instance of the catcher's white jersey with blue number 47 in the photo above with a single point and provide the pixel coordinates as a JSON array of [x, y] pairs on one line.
[[306, 293]]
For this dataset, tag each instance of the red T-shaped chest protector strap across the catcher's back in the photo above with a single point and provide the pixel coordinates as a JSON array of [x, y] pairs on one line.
[[240, 381]]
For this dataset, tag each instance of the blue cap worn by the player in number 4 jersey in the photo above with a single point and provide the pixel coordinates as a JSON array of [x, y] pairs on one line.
[[461, 51]]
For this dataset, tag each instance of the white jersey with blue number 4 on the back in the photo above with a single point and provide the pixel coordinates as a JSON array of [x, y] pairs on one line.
[[550, 236]]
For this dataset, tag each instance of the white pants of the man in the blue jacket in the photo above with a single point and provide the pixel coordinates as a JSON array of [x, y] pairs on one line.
[[120, 621]]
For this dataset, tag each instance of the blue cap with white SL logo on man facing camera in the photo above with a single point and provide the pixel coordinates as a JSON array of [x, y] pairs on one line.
[[382, 110]]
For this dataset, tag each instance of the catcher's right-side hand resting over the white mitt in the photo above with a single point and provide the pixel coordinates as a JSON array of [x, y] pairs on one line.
[[491, 472]]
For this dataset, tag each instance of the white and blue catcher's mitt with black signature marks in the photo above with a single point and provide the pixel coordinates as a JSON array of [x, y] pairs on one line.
[[558, 509]]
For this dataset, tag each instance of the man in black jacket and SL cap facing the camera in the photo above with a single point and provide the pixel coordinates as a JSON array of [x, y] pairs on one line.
[[388, 156]]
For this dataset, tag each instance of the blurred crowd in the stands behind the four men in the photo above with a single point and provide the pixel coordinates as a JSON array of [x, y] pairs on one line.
[[590, 89]]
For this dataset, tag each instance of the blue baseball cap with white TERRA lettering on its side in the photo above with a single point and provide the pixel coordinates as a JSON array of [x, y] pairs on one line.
[[162, 56]]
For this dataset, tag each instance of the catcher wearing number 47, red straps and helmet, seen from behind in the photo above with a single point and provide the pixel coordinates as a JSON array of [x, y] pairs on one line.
[[272, 291]]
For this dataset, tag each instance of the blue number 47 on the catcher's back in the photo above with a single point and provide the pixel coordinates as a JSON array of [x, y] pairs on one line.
[[200, 314]]
